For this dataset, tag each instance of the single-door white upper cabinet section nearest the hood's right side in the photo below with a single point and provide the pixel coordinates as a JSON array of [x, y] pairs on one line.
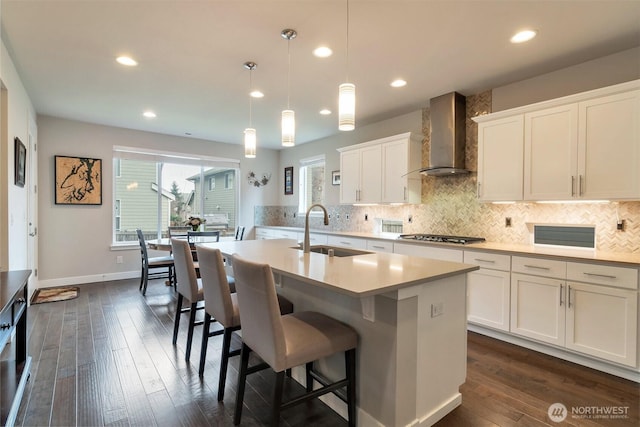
[[500, 148]]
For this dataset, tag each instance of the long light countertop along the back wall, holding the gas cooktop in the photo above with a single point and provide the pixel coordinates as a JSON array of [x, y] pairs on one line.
[[567, 254]]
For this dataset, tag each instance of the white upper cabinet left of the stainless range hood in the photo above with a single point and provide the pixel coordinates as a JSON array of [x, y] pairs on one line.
[[379, 171]]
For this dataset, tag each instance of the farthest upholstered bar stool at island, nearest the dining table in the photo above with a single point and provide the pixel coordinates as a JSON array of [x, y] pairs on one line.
[[189, 287]]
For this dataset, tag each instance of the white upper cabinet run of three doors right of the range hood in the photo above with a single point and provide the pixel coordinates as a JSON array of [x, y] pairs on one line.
[[580, 147]]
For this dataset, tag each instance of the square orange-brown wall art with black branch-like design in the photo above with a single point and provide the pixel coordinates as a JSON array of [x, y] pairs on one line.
[[78, 181]]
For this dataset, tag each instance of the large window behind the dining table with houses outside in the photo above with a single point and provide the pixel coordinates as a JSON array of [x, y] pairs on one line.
[[156, 190]]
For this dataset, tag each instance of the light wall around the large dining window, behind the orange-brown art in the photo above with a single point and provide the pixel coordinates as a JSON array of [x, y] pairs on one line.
[[75, 240]]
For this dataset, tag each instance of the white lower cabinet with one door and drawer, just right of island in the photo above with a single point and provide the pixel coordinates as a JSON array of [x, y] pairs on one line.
[[488, 289]]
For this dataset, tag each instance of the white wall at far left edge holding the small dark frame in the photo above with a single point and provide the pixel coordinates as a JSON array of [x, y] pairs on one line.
[[15, 223]]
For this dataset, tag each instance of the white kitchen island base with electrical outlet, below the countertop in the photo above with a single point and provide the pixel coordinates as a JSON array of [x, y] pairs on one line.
[[411, 358]]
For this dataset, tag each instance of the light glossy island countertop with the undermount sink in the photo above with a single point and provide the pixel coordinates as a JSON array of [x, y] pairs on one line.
[[359, 276]]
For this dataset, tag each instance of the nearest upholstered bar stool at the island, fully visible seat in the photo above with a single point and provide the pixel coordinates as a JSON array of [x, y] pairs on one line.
[[287, 341]]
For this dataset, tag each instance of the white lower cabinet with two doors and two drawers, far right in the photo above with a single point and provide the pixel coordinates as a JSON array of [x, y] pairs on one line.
[[590, 318]]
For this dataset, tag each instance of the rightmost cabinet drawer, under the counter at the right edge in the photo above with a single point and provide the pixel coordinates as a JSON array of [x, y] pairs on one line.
[[620, 277]]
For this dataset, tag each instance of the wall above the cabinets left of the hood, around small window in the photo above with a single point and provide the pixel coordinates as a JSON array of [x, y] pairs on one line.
[[411, 122]]
